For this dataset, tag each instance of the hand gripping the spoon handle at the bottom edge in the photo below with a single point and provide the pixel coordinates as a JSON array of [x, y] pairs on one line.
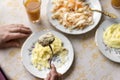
[[53, 74]]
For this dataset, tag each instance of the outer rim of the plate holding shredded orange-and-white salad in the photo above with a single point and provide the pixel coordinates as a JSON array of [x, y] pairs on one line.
[[100, 16]]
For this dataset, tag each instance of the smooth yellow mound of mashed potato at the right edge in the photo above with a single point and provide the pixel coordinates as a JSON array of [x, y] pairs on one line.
[[111, 36]]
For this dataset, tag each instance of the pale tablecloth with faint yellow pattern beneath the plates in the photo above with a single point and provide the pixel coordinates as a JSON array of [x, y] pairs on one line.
[[89, 63]]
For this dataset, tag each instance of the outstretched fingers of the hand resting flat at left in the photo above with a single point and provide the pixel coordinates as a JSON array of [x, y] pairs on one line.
[[16, 31]]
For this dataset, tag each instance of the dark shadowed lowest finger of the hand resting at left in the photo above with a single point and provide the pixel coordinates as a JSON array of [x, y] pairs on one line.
[[14, 43]]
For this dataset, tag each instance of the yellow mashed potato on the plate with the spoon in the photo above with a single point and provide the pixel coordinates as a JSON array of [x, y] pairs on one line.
[[41, 55]]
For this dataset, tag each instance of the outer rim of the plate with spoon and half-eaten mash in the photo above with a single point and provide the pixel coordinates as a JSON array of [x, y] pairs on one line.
[[42, 32]]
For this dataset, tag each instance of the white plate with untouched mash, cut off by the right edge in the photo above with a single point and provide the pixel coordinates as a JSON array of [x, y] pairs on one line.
[[111, 53]]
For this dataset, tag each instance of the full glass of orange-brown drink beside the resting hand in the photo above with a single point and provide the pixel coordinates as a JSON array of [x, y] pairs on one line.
[[33, 9]]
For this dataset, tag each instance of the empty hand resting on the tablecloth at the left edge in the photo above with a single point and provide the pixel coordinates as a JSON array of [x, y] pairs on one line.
[[10, 35]]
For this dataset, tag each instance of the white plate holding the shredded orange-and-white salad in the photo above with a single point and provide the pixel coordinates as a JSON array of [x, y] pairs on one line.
[[94, 4]]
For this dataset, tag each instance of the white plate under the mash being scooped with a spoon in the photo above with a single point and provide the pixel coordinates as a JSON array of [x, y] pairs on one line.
[[26, 57]]
